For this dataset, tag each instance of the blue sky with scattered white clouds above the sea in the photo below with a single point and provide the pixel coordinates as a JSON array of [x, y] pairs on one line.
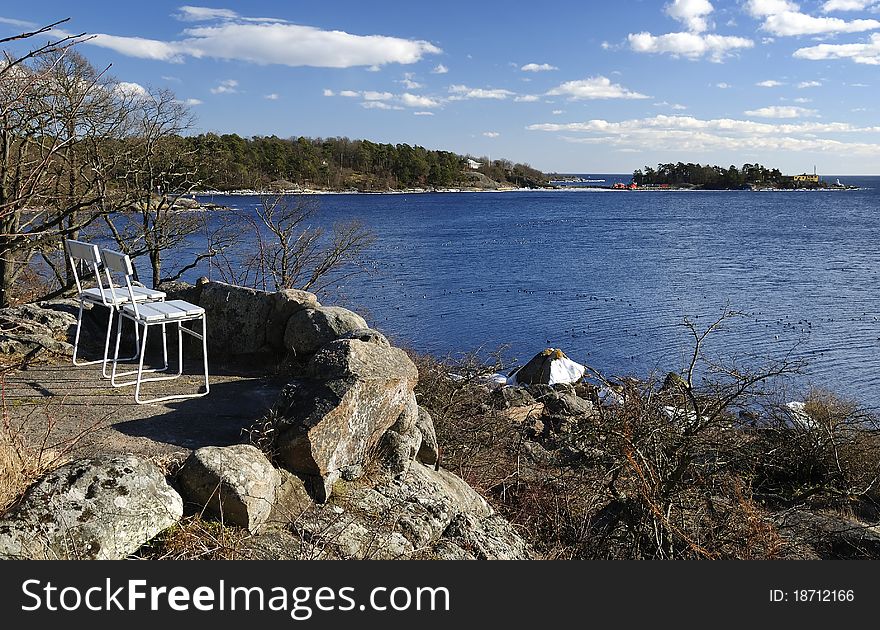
[[565, 86]]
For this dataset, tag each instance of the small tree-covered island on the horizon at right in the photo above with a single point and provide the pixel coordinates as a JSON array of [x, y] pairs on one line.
[[697, 176]]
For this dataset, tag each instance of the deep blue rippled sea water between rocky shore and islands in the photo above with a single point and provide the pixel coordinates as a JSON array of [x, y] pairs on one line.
[[610, 276]]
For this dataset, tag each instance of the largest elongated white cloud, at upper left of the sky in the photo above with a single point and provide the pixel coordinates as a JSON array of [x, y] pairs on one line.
[[226, 35]]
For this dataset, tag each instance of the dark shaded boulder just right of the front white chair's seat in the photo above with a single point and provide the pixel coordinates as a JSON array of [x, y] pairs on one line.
[[236, 318]]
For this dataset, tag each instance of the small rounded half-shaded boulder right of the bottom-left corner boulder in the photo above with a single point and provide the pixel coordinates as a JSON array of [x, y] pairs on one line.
[[235, 484]]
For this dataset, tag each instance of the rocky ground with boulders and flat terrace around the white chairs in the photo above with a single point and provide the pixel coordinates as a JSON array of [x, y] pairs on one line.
[[347, 464]]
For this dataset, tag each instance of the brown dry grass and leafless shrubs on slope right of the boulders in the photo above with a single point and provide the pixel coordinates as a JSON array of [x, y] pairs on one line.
[[638, 484]]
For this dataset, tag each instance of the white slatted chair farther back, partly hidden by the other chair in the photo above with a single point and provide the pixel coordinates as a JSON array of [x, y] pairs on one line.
[[81, 254]]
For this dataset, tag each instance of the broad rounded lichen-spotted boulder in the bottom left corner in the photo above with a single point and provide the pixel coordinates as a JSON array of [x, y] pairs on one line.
[[91, 509]]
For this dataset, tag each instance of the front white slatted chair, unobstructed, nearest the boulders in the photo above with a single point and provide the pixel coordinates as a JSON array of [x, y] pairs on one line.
[[146, 314]]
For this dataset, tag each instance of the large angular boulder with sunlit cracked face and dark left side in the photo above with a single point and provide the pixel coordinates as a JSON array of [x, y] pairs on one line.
[[335, 419]]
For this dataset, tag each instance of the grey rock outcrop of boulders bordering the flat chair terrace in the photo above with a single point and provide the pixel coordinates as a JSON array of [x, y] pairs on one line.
[[355, 462]]
